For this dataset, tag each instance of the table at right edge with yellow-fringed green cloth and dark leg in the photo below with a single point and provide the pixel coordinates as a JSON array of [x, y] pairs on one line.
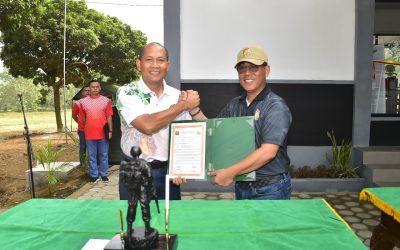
[[386, 235]]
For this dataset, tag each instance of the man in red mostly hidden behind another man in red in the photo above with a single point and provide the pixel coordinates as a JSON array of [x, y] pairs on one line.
[[77, 116]]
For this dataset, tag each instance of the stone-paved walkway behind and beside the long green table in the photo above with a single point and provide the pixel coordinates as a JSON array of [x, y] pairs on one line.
[[361, 216]]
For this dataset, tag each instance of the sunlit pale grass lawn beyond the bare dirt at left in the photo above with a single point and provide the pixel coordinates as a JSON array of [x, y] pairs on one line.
[[12, 123]]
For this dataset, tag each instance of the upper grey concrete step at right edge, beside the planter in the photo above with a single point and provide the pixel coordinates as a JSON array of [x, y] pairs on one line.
[[377, 155]]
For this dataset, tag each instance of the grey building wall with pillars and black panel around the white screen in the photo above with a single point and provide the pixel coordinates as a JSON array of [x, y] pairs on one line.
[[317, 105]]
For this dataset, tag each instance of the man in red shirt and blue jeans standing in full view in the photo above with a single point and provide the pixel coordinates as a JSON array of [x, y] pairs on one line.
[[97, 113]]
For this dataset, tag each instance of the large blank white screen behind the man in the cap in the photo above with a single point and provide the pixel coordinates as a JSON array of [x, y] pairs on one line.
[[304, 39]]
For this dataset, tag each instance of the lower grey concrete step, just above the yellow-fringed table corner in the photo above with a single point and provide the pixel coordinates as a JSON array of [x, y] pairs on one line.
[[381, 172]]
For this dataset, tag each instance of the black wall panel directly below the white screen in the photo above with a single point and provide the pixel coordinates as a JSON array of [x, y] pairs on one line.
[[315, 108]]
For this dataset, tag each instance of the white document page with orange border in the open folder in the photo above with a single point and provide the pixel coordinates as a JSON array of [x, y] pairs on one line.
[[188, 150]]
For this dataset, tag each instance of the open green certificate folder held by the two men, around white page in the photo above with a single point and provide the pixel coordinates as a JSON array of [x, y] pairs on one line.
[[227, 141]]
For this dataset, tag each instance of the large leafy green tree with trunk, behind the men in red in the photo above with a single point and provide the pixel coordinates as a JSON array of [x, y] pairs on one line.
[[97, 46]]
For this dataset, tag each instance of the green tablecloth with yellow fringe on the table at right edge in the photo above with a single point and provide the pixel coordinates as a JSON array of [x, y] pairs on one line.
[[386, 199]]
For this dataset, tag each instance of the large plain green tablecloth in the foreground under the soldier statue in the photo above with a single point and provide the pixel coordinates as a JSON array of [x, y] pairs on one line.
[[69, 224]]
